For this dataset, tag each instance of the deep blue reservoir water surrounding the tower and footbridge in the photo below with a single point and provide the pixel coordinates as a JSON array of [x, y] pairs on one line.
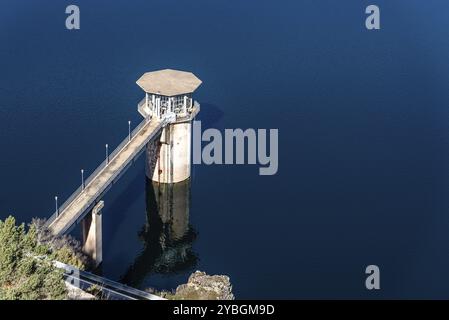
[[363, 122]]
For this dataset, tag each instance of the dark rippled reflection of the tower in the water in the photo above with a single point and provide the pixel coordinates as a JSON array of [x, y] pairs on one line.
[[167, 236]]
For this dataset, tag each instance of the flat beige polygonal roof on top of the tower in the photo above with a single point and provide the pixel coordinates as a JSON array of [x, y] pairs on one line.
[[169, 82]]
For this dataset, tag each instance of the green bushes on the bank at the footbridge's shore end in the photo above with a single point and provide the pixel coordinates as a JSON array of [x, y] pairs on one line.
[[27, 271]]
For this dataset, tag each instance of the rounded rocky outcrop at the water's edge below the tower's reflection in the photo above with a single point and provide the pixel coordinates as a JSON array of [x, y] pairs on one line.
[[201, 286]]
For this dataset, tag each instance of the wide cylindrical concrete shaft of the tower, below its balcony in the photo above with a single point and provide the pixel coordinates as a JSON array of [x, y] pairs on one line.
[[168, 158]]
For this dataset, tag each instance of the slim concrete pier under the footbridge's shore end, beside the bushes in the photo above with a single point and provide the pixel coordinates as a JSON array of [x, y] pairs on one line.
[[92, 234]]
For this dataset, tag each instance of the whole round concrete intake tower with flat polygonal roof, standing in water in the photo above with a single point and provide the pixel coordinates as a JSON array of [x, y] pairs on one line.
[[168, 96]]
